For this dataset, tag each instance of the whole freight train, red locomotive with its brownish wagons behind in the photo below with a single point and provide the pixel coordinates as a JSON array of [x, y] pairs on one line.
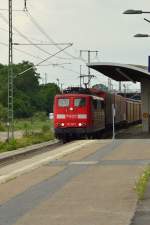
[[87, 112]]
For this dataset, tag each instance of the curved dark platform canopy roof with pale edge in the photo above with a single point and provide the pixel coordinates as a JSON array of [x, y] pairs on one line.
[[122, 72]]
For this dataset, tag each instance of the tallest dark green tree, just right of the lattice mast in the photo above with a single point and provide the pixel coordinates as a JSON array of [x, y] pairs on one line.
[[26, 89]]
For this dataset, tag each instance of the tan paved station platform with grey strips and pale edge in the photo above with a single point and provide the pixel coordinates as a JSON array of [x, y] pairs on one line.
[[81, 183]]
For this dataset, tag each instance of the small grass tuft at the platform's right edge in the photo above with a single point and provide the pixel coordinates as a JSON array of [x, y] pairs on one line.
[[142, 183]]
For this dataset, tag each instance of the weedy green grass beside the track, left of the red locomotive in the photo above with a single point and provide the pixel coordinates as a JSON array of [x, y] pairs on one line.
[[37, 129]]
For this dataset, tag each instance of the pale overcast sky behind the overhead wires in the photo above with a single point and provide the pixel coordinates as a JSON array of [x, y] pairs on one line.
[[88, 24]]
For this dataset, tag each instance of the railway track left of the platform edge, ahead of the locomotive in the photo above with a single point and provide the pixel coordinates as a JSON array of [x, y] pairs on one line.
[[27, 152]]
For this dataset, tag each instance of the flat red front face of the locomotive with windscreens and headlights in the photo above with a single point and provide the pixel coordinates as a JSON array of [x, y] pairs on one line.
[[71, 112]]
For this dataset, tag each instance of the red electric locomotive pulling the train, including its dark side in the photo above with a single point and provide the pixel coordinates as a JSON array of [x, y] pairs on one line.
[[78, 114]]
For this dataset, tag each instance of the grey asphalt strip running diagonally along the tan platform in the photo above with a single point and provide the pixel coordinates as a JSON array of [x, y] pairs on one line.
[[34, 195]]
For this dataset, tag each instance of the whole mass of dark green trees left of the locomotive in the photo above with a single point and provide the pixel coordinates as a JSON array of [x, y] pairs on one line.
[[29, 96]]
